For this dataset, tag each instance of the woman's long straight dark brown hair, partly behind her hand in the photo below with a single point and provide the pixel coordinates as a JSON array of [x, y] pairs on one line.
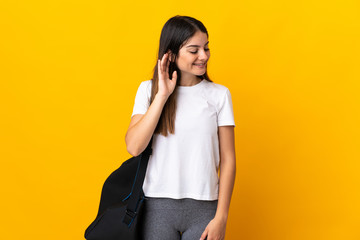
[[175, 33]]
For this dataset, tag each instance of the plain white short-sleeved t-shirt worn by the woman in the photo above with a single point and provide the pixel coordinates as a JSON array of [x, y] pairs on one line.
[[185, 164]]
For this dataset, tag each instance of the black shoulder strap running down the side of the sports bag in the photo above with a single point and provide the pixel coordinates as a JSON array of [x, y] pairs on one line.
[[131, 208]]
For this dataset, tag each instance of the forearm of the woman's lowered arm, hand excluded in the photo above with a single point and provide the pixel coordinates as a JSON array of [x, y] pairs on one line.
[[226, 185]]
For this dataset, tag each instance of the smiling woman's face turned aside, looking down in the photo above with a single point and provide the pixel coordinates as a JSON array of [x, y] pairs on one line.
[[193, 56]]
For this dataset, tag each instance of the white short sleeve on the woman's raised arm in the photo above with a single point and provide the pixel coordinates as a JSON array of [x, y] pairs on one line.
[[142, 98]]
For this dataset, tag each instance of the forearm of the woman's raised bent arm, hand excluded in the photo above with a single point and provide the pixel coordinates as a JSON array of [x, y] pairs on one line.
[[138, 136]]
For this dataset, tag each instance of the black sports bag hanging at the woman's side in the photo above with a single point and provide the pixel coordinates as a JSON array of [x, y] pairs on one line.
[[120, 212]]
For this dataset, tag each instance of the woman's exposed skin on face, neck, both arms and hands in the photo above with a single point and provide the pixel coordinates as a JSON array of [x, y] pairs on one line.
[[145, 124]]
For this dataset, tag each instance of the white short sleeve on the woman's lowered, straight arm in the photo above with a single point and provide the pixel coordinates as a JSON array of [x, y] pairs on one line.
[[226, 113]]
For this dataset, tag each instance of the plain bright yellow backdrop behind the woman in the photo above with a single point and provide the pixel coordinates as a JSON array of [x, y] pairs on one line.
[[69, 71]]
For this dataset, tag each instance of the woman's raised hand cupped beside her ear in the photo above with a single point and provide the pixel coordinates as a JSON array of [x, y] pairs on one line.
[[166, 85]]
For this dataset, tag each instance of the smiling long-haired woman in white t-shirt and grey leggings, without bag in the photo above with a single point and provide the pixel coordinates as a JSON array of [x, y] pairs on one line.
[[193, 125]]
